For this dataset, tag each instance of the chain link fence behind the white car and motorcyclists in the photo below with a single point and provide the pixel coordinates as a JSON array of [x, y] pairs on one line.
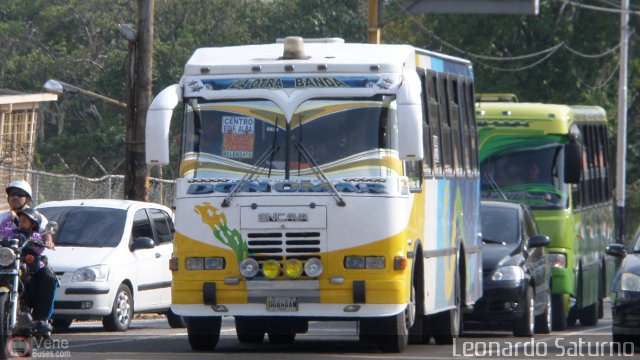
[[49, 186]]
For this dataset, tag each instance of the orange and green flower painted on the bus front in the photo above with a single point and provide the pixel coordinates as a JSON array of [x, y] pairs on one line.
[[217, 220]]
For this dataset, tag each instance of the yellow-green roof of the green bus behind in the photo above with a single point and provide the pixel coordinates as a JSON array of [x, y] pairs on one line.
[[511, 111]]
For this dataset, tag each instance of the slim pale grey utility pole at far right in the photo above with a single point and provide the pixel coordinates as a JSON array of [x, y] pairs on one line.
[[621, 151]]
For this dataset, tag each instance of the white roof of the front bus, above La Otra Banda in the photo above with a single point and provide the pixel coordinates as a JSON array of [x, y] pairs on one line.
[[331, 56]]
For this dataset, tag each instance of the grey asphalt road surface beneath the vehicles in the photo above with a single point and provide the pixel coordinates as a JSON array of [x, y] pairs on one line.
[[154, 339]]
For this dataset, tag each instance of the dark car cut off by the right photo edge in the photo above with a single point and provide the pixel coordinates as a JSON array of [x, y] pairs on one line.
[[625, 294]]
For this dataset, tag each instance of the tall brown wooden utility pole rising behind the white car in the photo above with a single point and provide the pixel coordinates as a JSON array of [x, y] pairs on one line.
[[136, 176]]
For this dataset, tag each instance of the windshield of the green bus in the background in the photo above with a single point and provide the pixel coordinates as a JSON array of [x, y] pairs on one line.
[[527, 170]]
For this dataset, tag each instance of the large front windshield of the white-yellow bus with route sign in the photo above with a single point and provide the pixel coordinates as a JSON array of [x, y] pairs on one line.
[[253, 134]]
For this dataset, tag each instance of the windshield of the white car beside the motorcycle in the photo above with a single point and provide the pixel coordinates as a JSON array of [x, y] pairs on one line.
[[87, 226]]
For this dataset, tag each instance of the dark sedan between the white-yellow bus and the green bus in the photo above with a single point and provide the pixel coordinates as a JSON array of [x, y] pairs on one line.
[[516, 276]]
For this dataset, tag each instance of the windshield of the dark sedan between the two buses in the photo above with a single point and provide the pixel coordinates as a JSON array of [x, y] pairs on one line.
[[499, 225]]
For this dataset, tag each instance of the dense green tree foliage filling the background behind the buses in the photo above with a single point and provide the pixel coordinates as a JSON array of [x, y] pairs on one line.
[[76, 41]]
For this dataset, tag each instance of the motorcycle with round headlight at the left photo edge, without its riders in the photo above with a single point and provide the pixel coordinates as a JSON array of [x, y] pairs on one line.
[[16, 260]]
